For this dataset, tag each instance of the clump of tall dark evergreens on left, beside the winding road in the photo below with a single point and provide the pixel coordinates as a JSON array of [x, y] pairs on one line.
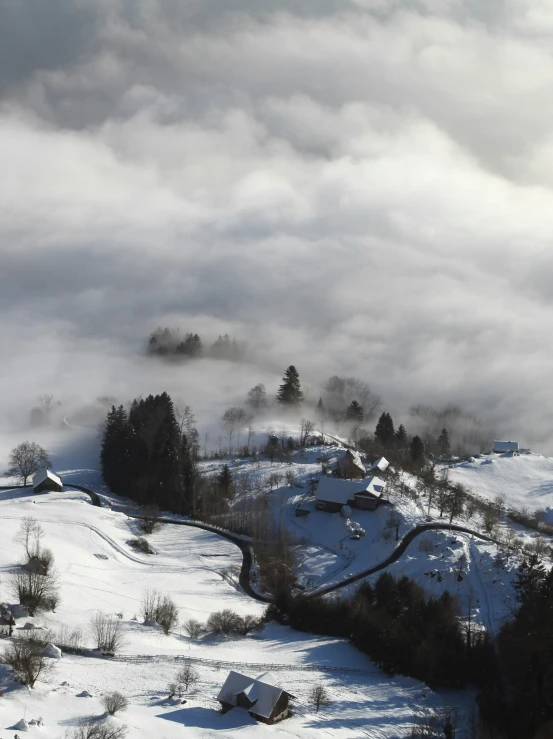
[[145, 455]]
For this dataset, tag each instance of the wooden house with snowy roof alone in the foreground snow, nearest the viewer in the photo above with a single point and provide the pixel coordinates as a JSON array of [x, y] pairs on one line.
[[260, 696]]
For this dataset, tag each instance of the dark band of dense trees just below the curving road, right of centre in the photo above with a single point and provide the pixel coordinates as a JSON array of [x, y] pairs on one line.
[[399, 627]]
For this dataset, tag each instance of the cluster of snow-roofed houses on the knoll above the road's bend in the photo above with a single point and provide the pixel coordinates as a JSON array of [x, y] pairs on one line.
[[352, 485]]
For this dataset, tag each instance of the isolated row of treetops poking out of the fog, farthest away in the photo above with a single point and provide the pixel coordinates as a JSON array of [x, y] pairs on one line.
[[167, 342]]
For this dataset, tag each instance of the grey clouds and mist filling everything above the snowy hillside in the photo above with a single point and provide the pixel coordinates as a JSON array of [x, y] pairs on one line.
[[362, 187]]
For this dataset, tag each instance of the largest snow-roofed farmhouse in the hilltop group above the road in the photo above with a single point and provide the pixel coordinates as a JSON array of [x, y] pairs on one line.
[[333, 494]]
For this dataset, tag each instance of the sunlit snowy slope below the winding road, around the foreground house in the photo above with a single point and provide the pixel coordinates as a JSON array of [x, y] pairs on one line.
[[99, 571]]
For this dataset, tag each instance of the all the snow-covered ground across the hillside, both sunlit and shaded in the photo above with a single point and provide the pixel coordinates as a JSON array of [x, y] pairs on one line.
[[99, 571]]
